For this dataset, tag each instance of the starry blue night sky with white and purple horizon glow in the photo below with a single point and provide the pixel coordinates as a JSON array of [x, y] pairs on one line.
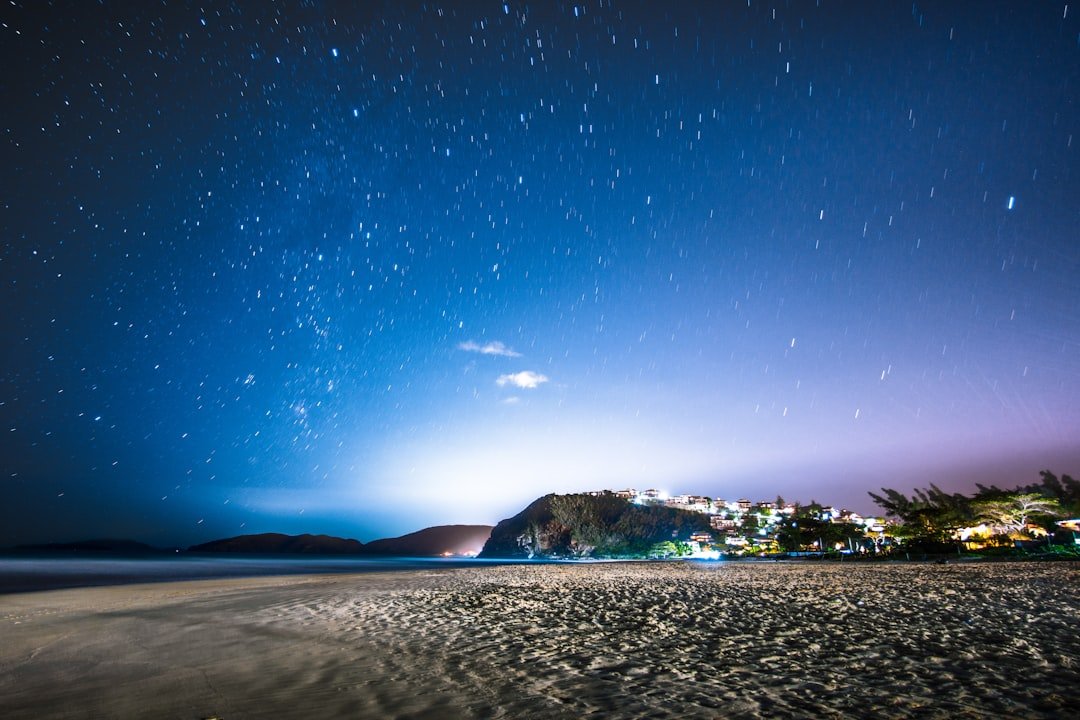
[[319, 268]]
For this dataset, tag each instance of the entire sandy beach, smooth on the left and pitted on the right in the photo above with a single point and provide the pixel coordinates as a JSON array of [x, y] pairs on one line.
[[619, 641]]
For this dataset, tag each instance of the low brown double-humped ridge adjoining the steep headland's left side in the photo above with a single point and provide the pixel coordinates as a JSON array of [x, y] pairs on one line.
[[440, 540]]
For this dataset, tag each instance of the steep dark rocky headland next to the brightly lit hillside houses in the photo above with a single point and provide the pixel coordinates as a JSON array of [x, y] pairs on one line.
[[590, 526]]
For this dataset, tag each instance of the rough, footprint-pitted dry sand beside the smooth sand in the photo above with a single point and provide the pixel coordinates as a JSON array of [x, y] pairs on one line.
[[747, 641]]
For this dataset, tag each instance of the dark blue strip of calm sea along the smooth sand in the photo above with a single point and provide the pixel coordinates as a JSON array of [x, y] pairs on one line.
[[28, 573]]
